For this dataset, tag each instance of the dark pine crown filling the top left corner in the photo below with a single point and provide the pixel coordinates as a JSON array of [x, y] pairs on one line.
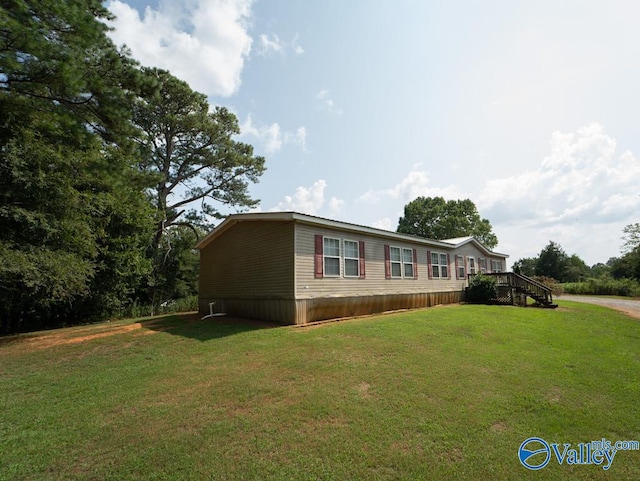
[[56, 56]]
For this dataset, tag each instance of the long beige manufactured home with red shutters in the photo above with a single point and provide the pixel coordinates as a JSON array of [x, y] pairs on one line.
[[294, 268]]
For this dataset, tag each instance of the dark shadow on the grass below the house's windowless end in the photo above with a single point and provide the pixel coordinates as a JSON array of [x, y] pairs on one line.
[[192, 326]]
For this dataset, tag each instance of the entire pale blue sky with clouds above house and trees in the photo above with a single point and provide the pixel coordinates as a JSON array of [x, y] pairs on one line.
[[530, 109]]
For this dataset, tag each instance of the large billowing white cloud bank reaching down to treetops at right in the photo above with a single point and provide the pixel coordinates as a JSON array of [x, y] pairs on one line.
[[581, 195]]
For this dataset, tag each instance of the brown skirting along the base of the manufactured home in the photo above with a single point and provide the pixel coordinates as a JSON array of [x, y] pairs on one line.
[[302, 311]]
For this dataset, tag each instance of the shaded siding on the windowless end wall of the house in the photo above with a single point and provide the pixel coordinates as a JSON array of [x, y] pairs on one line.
[[251, 260]]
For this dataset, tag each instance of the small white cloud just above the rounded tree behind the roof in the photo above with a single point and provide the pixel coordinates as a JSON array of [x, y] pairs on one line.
[[414, 185]]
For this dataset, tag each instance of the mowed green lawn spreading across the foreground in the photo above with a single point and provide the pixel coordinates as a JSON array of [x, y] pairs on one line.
[[441, 393]]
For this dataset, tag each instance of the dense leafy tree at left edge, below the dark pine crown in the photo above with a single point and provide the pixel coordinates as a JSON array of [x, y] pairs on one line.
[[71, 229]]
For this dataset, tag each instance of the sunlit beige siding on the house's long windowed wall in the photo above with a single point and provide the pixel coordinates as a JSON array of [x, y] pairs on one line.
[[375, 283]]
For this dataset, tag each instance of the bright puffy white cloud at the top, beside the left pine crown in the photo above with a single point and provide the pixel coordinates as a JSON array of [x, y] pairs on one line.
[[204, 42]]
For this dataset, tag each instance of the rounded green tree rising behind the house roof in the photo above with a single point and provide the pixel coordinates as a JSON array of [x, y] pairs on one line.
[[435, 218]]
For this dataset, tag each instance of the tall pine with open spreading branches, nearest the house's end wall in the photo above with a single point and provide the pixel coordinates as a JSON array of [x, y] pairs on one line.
[[190, 150]]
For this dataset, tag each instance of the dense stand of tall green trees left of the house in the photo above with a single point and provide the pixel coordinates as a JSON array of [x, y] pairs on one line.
[[109, 170]]
